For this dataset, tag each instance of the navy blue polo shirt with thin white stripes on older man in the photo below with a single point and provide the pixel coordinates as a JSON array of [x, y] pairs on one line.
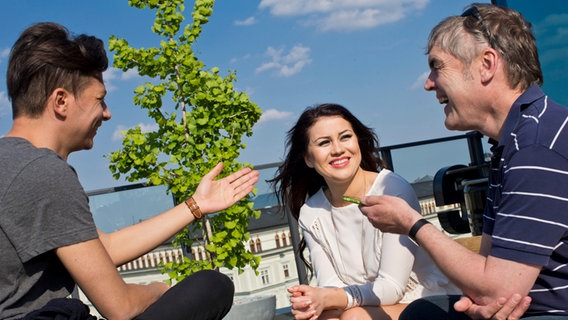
[[527, 206]]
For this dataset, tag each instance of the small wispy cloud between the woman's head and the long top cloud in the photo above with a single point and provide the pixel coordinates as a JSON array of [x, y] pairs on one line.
[[286, 65]]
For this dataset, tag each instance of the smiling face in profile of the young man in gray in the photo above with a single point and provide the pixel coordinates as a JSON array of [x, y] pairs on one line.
[[87, 111]]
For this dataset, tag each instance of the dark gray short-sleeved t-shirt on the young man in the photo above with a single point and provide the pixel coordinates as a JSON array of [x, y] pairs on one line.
[[42, 207]]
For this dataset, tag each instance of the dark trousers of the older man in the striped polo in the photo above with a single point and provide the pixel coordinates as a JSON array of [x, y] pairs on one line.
[[442, 308]]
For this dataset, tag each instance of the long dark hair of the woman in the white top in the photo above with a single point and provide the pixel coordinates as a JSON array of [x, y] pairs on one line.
[[294, 181]]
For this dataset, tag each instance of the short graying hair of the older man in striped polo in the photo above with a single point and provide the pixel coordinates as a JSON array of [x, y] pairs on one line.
[[503, 29]]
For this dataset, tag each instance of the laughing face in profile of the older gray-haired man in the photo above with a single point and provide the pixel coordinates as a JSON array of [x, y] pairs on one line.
[[455, 86]]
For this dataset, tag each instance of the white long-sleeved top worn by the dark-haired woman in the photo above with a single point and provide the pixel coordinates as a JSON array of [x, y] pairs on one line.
[[345, 249]]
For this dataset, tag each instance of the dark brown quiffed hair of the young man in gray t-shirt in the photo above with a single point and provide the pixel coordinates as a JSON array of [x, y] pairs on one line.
[[46, 57]]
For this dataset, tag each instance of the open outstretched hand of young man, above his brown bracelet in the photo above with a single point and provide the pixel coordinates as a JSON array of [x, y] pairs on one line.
[[215, 195]]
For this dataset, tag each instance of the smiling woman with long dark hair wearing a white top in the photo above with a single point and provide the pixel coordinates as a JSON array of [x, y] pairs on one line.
[[361, 272]]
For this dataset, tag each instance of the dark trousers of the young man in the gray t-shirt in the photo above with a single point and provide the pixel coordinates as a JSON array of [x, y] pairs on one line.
[[204, 295]]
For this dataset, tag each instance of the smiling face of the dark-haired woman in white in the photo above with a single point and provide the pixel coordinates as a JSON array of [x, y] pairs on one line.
[[333, 149]]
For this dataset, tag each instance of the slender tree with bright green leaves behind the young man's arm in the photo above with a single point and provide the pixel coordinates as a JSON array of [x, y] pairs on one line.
[[202, 125]]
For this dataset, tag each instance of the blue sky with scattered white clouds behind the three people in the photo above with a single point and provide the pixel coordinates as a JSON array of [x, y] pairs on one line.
[[288, 54]]
